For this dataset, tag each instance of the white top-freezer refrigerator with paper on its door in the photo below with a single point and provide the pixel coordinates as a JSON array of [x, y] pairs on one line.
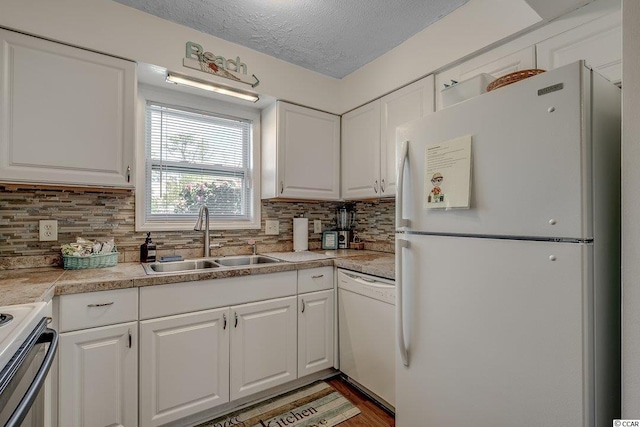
[[508, 309]]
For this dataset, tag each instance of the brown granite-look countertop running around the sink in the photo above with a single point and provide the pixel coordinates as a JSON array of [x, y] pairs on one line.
[[41, 284]]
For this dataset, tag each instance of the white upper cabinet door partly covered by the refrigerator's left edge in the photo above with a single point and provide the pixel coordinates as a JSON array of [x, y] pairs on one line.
[[403, 105]]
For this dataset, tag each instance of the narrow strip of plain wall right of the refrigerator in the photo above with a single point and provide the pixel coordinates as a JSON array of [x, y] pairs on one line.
[[631, 209]]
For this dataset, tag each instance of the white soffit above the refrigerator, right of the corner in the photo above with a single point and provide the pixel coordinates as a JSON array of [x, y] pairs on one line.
[[474, 27]]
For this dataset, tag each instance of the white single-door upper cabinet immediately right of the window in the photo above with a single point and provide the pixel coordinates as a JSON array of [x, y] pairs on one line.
[[300, 153]]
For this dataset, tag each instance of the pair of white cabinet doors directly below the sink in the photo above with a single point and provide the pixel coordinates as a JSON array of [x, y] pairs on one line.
[[196, 361]]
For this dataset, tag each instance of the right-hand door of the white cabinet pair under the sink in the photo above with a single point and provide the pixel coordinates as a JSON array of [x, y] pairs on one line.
[[263, 345]]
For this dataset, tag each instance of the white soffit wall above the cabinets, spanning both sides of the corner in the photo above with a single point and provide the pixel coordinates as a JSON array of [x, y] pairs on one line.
[[110, 27]]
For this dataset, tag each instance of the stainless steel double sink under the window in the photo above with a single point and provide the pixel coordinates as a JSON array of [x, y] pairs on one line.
[[206, 264]]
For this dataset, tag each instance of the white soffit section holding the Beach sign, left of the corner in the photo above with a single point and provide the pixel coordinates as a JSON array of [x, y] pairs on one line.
[[110, 27]]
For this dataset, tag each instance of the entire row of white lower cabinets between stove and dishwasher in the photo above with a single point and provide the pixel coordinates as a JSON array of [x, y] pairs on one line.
[[191, 357]]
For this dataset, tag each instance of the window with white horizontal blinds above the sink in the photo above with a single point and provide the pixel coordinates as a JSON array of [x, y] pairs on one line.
[[195, 158]]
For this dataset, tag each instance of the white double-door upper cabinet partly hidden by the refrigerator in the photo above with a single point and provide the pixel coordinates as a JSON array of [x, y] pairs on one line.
[[369, 139]]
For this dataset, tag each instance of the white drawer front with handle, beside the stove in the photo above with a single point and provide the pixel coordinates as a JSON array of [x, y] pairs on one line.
[[88, 310]]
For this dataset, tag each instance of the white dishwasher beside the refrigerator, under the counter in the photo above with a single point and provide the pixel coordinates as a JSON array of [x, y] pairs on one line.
[[366, 327]]
